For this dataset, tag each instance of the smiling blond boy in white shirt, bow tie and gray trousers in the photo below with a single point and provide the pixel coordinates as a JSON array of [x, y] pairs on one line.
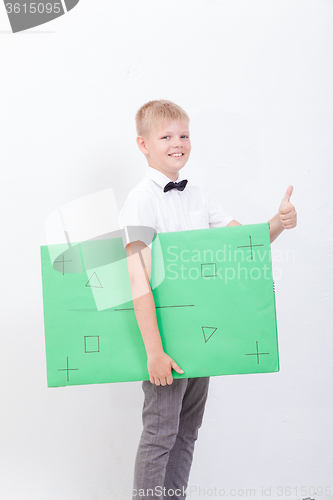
[[173, 409]]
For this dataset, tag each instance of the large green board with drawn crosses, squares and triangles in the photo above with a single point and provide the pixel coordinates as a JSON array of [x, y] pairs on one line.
[[214, 297]]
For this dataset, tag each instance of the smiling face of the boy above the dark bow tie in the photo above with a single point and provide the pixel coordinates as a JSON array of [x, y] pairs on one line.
[[167, 148]]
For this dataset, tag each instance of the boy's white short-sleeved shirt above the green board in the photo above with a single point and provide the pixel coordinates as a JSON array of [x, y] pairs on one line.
[[148, 205]]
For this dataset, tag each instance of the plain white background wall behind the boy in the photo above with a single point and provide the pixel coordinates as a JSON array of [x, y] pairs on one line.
[[255, 77]]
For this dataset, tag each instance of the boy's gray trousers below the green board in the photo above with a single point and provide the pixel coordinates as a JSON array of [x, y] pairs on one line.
[[171, 417]]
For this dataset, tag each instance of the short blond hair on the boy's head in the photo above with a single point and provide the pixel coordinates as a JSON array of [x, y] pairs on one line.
[[153, 113]]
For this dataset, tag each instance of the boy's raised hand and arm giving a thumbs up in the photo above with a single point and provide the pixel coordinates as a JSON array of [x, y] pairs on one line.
[[286, 218]]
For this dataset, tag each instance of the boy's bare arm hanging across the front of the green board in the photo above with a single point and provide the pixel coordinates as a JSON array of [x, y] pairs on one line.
[[139, 266]]
